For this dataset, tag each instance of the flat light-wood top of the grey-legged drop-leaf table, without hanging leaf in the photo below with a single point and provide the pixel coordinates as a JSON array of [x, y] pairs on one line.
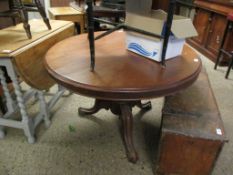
[[14, 40]]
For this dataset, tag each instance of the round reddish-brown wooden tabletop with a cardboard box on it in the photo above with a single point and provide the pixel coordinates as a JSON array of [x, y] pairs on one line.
[[119, 74]]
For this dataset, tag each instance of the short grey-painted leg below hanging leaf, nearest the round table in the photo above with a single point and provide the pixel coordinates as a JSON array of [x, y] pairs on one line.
[[44, 108]]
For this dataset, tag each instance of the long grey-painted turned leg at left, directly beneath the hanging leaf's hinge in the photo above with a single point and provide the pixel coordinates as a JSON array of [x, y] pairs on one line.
[[27, 122]]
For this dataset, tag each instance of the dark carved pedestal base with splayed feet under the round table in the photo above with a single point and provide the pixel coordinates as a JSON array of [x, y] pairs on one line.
[[124, 110]]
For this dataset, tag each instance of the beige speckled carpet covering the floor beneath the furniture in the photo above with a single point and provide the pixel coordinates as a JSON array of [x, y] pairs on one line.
[[92, 146]]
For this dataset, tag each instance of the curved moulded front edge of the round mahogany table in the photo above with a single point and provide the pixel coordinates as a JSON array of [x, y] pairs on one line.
[[125, 94]]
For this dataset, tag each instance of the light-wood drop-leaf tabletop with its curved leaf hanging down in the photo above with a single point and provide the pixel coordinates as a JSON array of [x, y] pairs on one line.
[[28, 55]]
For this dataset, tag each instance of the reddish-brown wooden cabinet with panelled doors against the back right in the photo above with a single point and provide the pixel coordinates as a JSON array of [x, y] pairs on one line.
[[210, 22]]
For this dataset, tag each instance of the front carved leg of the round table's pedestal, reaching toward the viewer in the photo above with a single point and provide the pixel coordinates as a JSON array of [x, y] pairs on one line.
[[127, 124]]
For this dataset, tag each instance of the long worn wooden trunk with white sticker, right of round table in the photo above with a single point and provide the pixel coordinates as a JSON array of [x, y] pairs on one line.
[[192, 132]]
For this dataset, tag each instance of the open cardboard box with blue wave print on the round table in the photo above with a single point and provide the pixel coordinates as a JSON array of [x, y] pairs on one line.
[[151, 47]]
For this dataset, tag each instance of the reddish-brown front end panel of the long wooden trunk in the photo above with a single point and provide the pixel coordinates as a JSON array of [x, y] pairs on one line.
[[184, 155]]
